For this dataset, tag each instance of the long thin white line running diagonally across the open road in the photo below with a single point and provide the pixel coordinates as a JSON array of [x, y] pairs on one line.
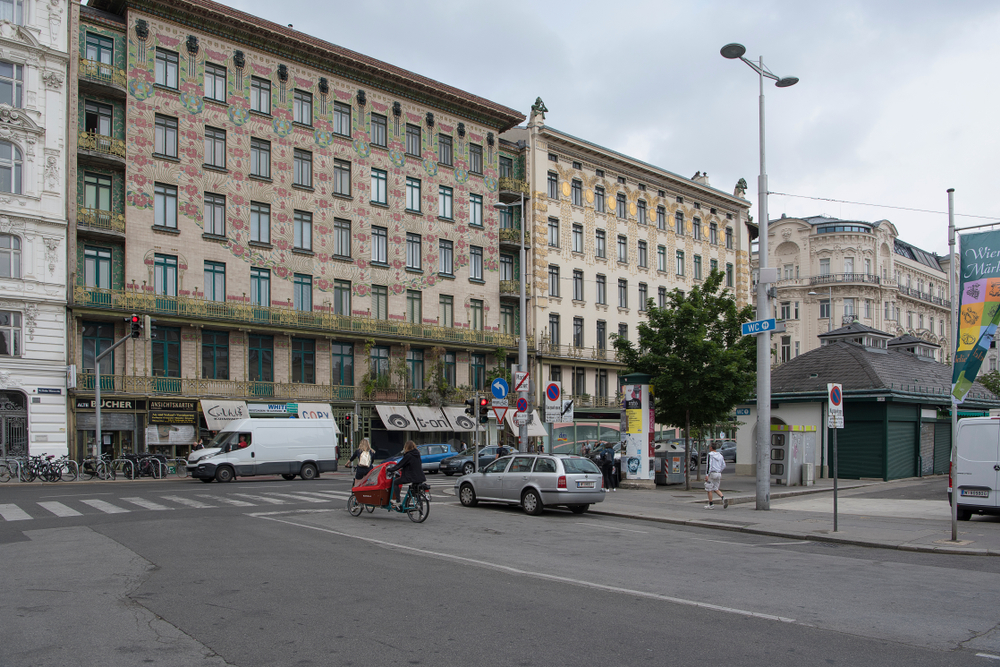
[[539, 575]]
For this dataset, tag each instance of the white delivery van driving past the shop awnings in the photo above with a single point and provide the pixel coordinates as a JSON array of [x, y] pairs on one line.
[[286, 447]]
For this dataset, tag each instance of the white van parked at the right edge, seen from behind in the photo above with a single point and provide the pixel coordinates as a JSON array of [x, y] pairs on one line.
[[976, 474]]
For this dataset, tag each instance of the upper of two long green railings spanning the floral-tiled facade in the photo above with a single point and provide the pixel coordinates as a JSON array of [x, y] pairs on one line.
[[134, 301]]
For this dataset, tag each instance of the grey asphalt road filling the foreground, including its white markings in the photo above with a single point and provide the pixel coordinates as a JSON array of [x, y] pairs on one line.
[[268, 572]]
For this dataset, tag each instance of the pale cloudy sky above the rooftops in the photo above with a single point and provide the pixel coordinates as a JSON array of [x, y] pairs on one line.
[[895, 103]]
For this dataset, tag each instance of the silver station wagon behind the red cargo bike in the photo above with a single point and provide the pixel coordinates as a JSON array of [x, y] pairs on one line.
[[534, 481]]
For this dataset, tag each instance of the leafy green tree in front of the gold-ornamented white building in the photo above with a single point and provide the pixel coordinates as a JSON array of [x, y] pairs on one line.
[[700, 364]]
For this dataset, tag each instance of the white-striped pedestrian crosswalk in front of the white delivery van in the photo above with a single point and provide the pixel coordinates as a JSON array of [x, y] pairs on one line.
[[75, 507]]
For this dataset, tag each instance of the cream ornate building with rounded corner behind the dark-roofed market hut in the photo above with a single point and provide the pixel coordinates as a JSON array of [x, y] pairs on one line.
[[865, 271]]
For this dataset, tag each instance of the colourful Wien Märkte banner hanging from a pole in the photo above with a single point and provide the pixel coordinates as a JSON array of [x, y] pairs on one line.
[[979, 309]]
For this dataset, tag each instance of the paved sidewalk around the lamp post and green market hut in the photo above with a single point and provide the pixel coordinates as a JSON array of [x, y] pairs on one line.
[[806, 513]]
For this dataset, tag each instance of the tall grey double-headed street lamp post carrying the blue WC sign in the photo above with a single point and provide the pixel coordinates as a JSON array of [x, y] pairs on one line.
[[733, 52]]
